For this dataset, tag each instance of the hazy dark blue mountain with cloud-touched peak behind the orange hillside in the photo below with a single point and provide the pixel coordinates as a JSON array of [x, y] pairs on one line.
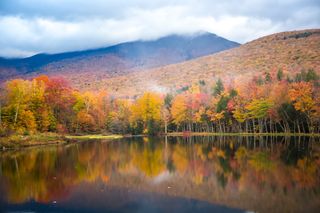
[[119, 59]]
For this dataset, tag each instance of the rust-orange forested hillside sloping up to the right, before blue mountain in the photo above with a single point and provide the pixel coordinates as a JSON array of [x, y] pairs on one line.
[[291, 51]]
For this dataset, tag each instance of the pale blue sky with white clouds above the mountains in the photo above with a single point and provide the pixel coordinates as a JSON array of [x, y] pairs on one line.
[[28, 27]]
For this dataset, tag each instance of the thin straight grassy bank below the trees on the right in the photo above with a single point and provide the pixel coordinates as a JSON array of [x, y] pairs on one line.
[[240, 134]]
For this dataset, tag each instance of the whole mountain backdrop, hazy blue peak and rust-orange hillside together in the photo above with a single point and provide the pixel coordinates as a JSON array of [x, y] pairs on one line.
[[131, 68]]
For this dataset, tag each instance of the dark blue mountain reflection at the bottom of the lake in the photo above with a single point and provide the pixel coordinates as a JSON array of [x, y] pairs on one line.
[[134, 202]]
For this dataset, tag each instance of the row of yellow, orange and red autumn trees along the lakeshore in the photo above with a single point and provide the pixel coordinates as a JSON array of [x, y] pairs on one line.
[[268, 103]]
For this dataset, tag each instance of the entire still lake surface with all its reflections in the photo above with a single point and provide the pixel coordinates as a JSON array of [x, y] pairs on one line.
[[174, 174]]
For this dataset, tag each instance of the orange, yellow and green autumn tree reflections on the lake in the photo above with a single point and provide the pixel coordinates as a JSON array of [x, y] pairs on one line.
[[207, 168]]
